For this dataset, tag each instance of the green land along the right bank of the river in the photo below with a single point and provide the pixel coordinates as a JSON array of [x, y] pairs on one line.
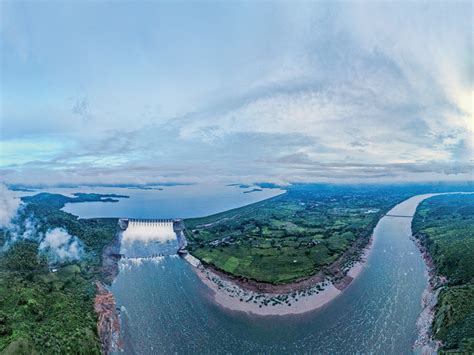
[[445, 225]]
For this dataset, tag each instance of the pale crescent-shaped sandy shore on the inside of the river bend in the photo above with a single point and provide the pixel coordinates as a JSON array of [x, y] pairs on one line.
[[262, 299]]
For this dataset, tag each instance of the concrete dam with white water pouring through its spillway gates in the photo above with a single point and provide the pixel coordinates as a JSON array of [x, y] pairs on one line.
[[145, 238]]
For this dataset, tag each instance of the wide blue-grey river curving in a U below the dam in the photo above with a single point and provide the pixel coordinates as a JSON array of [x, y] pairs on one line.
[[167, 309]]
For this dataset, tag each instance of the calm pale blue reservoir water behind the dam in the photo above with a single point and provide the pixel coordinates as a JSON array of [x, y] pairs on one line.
[[182, 201]]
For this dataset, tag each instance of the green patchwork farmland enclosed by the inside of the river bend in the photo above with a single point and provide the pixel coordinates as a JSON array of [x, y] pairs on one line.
[[292, 236]]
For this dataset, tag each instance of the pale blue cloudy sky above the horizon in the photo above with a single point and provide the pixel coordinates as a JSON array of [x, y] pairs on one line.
[[129, 92]]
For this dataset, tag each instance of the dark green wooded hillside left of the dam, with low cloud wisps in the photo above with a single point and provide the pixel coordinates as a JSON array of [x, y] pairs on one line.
[[49, 309]]
